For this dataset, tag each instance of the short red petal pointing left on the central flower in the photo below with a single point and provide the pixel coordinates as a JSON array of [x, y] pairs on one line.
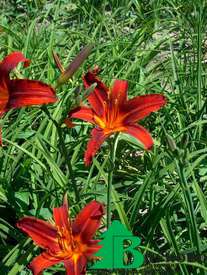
[[83, 113]]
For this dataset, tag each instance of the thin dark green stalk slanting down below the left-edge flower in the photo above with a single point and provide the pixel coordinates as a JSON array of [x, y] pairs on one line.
[[63, 151]]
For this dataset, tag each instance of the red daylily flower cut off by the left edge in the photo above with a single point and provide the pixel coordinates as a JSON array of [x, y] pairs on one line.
[[16, 93]]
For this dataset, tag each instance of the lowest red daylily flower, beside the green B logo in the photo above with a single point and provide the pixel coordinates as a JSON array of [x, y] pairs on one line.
[[68, 242]]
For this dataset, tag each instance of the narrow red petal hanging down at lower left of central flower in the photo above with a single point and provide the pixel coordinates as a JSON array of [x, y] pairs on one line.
[[97, 138]]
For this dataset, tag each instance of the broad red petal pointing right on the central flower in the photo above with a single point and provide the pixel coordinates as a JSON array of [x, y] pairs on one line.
[[141, 106]]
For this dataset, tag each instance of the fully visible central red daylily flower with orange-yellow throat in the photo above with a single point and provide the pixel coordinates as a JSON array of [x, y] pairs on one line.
[[112, 112]]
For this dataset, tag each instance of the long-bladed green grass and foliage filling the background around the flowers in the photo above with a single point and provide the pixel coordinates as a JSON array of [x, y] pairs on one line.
[[159, 46]]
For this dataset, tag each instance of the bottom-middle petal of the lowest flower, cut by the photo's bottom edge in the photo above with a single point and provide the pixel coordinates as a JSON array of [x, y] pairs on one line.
[[76, 267]]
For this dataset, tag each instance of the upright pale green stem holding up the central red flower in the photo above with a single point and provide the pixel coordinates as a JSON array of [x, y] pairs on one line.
[[113, 145]]
